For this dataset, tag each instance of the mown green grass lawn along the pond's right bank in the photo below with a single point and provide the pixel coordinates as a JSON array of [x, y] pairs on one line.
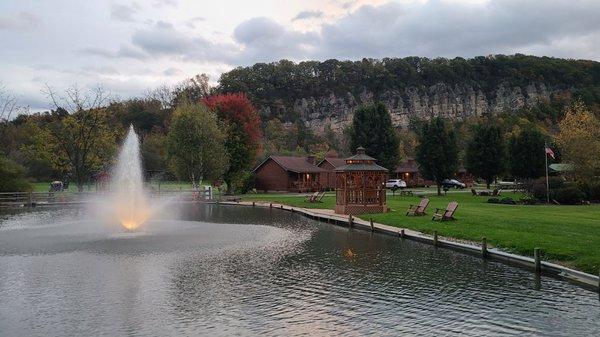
[[569, 235]]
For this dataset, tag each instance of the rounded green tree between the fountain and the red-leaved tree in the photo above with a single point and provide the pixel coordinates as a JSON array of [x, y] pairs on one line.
[[196, 144]]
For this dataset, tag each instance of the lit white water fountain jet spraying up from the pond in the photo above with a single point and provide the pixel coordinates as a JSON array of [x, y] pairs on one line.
[[129, 200]]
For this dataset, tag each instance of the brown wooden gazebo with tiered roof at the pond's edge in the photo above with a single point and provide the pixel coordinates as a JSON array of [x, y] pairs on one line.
[[360, 185]]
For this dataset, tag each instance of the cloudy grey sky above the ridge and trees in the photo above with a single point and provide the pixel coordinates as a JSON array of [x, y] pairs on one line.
[[131, 46]]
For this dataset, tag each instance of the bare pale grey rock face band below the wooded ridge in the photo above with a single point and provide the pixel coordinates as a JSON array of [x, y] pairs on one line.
[[453, 101]]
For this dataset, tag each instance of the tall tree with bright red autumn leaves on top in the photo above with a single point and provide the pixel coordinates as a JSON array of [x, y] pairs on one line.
[[243, 132]]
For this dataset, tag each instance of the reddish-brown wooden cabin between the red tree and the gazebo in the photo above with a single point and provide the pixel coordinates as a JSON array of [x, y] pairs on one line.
[[292, 174]]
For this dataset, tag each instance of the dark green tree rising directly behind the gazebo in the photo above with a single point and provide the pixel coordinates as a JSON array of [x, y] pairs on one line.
[[372, 129]]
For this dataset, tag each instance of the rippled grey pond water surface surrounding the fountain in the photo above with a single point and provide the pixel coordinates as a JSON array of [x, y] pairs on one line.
[[245, 271]]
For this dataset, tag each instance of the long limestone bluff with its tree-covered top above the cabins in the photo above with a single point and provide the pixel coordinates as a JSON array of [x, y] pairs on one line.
[[321, 93]]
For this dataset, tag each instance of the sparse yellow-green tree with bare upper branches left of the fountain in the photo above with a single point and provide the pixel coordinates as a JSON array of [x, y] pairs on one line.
[[79, 139]]
